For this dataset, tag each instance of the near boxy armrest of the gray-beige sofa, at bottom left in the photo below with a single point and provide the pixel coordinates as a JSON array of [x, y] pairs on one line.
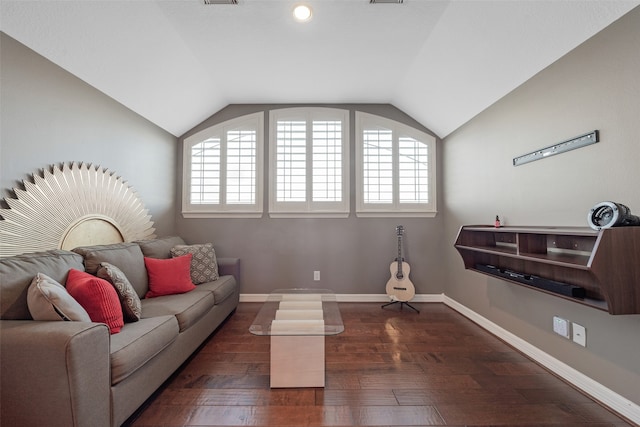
[[54, 373]]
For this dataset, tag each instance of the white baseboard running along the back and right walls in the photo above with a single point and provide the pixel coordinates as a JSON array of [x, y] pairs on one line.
[[597, 391]]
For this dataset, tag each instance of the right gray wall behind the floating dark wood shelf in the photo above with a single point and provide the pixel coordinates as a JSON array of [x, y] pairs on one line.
[[596, 86]]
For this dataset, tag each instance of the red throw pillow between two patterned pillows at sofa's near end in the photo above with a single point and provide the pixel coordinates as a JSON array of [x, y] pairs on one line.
[[97, 297]]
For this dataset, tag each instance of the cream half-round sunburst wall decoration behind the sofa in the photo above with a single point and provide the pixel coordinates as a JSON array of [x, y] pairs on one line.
[[70, 206]]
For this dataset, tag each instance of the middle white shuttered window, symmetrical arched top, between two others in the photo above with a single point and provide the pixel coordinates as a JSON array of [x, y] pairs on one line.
[[309, 168]]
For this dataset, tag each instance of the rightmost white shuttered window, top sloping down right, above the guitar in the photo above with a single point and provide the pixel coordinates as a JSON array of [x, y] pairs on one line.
[[395, 168]]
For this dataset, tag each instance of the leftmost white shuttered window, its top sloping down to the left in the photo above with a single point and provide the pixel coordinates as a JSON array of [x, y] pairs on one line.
[[222, 169]]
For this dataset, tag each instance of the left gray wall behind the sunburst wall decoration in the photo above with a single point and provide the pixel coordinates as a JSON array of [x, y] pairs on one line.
[[49, 116]]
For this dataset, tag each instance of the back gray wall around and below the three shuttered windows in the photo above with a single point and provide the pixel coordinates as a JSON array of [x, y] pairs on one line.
[[353, 254]]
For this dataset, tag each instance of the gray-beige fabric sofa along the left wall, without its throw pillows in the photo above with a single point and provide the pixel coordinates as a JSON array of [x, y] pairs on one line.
[[72, 373]]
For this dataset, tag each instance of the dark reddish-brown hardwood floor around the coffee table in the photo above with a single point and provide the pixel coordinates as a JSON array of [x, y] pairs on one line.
[[388, 368]]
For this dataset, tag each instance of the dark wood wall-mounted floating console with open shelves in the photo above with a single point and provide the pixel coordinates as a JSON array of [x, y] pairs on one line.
[[596, 268]]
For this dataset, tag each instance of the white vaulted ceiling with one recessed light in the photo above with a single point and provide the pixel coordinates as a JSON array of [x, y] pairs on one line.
[[176, 62]]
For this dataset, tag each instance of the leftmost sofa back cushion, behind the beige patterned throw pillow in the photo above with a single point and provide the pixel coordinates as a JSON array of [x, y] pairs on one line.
[[17, 272]]
